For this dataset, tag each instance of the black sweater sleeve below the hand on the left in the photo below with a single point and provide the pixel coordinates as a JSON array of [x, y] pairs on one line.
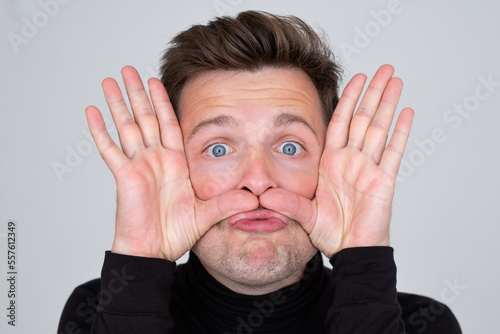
[[134, 296]]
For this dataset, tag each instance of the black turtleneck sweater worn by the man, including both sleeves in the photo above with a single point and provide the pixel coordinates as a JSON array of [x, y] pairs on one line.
[[143, 295]]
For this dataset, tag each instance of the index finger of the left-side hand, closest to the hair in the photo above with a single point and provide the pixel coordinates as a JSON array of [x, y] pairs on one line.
[[170, 130]]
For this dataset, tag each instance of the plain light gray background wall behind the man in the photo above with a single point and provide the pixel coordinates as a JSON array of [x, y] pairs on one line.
[[445, 220]]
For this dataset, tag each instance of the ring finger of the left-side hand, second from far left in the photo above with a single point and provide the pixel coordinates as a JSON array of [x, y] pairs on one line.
[[128, 131]]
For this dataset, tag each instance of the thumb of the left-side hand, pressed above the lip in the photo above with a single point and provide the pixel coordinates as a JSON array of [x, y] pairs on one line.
[[223, 206]]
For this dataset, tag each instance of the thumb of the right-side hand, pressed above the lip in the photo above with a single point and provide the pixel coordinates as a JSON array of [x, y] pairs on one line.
[[292, 205]]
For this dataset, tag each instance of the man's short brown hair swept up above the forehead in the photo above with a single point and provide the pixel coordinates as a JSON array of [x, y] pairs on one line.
[[251, 41]]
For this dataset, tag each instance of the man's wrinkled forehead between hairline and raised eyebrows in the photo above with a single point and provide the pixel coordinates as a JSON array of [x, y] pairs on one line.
[[251, 96]]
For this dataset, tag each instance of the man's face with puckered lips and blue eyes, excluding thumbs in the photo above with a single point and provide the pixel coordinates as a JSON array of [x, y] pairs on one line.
[[253, 131]]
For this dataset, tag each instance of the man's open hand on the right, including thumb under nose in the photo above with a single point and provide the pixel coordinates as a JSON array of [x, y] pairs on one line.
[[357, 172]]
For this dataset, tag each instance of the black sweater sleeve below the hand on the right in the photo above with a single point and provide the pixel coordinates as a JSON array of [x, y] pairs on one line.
[[365, 296]]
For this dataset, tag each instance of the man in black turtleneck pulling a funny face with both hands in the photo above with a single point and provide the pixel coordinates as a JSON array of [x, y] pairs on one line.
[[246, 165]]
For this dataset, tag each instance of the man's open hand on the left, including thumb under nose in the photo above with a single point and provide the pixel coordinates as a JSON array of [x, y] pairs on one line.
[[158, 214]]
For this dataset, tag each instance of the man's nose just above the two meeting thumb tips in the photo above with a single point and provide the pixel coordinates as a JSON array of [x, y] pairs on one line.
[[257, 173]]
